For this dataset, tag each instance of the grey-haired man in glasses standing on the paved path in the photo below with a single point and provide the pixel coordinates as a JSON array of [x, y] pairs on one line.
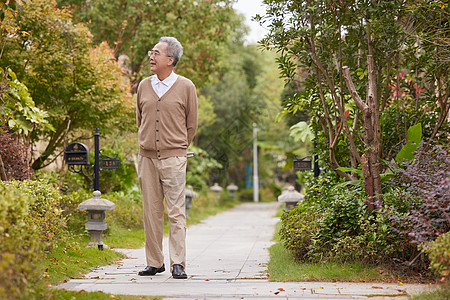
[[166, 114]]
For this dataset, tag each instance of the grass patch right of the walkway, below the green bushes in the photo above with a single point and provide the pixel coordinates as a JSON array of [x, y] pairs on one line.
[[283, 267]]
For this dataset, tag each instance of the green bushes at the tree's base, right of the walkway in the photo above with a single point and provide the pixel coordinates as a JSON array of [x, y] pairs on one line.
[[334, 224]]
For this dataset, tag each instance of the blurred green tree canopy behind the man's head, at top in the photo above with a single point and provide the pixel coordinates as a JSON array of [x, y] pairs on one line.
[[134, 27]]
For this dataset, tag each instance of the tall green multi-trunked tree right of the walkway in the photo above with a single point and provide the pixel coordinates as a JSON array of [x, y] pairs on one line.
[[355, 58]]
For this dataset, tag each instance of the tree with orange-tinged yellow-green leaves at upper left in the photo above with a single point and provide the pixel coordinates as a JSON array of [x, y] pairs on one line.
[[80, 86]]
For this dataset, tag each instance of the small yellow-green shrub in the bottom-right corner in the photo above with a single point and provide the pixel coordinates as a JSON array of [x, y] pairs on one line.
[[439, 253]]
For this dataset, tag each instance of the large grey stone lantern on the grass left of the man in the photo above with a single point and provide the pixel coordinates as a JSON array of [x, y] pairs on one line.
[[96, 208]]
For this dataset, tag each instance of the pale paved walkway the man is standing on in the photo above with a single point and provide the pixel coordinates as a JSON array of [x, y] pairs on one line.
[[227, 258]]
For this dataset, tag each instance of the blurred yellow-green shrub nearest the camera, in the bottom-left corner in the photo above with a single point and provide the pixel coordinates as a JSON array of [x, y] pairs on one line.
[[20, 244]]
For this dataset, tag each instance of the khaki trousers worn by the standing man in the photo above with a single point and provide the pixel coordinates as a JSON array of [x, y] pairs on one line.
[[159, 180]]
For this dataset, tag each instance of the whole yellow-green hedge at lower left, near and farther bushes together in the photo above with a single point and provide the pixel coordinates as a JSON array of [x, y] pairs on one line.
[[31, 222]]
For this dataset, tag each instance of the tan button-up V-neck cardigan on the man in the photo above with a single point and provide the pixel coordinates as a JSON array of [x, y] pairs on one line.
[[166, 125]]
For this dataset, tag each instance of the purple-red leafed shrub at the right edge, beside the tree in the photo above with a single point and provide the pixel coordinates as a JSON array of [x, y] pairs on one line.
[[424, 182]]
